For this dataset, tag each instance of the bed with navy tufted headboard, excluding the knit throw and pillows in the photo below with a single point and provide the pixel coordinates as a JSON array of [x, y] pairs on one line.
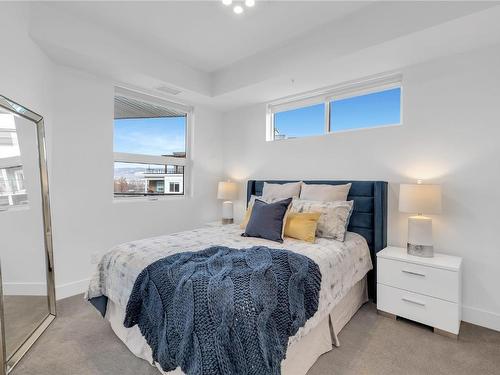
[[347, 272]]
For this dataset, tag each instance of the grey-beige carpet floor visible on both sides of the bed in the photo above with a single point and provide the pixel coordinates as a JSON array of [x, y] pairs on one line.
[[79, 342]]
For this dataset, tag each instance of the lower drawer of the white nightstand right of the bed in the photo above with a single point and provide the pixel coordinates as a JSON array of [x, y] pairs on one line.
[[427, 310]]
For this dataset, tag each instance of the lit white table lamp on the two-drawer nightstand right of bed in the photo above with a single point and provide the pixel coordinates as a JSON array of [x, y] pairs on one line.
[[420, 199]]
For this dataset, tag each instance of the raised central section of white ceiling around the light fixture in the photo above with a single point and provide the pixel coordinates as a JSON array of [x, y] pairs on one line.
[[207, 35]]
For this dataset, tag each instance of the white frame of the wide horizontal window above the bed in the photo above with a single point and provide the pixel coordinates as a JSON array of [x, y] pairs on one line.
[[327, 95]]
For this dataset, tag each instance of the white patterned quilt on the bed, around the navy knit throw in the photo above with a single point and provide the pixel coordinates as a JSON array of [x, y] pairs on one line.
[[342, 264]]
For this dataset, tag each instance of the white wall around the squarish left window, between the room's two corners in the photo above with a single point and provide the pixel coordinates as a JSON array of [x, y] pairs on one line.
[[87, 220]]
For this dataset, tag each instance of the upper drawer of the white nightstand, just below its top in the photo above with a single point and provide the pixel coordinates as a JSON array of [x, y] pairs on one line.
[[434, 282]]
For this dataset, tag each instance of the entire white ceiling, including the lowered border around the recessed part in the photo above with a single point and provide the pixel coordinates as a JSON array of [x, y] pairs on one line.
[[200, 52]]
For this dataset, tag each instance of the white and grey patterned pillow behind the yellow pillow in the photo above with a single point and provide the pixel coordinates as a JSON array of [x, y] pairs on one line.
[[334, 217]]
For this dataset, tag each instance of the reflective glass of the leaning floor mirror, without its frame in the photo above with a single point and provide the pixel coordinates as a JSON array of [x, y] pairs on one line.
[[22, 249]]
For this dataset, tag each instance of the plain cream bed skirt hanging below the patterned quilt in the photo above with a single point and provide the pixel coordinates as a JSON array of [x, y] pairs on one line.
[[301, 355]]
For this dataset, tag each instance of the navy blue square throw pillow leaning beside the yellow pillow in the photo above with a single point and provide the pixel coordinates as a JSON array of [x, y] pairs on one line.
[[266, 220]]
